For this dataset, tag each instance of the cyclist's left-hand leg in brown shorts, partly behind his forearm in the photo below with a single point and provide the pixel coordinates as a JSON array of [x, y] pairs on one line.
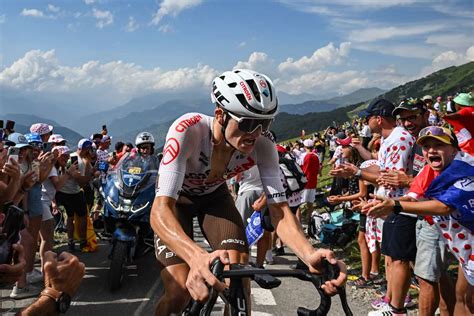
[[174, 271]]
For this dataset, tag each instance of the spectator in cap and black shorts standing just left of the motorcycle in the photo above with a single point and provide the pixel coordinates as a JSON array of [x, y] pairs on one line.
[[72, 197]]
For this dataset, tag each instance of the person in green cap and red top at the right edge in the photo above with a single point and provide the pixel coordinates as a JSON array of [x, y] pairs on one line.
[[463, 121]]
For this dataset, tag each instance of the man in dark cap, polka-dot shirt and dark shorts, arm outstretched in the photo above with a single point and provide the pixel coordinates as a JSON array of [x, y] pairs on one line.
[[398, 236]]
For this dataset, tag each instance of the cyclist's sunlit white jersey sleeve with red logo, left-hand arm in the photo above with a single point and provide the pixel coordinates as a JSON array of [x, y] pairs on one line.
[[178, 148]]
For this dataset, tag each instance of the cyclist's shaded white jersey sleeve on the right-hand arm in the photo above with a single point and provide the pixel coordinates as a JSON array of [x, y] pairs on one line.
[[269, 168]]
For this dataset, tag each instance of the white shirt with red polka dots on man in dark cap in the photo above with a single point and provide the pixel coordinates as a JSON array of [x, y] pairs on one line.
[[395, 154]]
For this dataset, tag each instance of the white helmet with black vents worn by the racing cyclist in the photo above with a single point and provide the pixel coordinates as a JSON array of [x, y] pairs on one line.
[[245, 93]]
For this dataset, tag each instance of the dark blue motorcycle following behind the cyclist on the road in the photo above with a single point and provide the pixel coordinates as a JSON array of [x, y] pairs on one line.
[[128, 191]]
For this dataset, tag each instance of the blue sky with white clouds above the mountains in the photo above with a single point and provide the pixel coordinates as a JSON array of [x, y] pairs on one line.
[[115, 50]]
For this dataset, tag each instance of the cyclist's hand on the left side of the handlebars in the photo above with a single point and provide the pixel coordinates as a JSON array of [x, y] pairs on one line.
[[200, 275]]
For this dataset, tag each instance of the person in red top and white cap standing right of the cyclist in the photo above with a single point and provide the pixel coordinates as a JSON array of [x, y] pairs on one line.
[[309, 162]]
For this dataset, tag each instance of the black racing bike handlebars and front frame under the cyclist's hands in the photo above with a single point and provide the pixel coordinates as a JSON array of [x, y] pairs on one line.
[[235, 296]]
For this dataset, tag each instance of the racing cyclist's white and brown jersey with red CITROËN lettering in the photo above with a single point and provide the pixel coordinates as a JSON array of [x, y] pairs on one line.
[[186, 161]]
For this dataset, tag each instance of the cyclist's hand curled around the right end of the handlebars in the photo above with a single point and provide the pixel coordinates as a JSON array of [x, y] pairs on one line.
[[315, 259]]
